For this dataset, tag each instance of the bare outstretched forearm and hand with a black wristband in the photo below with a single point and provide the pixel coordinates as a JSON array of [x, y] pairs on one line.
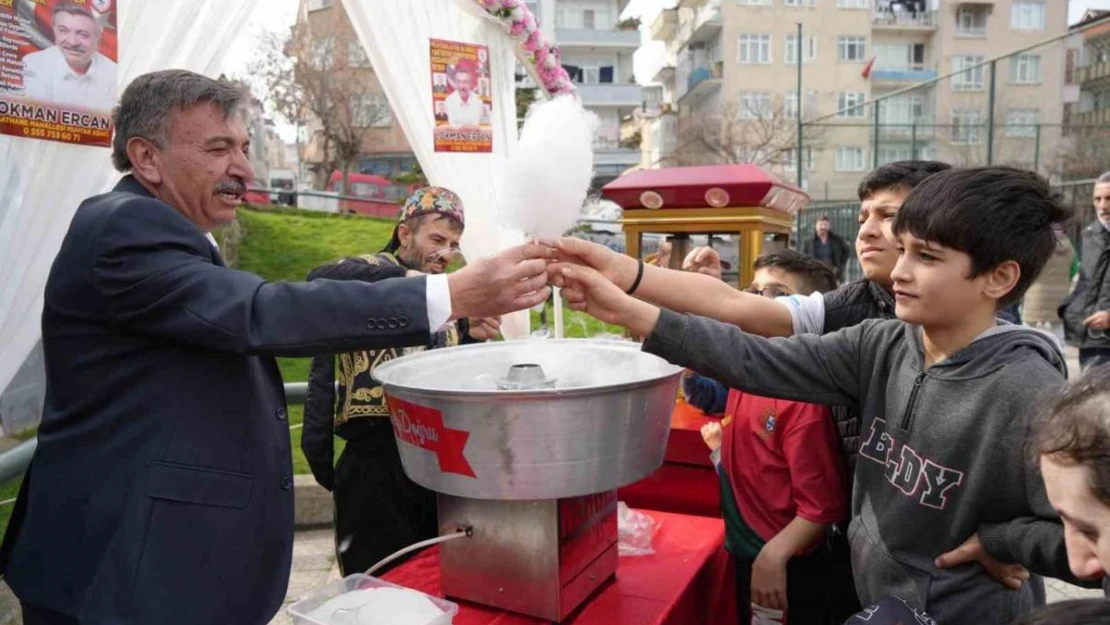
[[683, 291]]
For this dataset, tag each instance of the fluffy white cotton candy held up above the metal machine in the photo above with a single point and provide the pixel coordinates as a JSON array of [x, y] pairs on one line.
[[550, 173]]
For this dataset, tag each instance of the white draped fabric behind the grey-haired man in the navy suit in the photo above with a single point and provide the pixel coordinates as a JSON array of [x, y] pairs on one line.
[[43, 183]]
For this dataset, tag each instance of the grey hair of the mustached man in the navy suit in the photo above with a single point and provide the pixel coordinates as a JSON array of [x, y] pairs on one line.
[[148, 103]]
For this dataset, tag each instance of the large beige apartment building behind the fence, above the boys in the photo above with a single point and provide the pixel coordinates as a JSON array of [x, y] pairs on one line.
[[735, 64]]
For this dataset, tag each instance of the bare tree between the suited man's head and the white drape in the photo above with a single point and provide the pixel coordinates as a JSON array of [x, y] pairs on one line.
[[322, 79]]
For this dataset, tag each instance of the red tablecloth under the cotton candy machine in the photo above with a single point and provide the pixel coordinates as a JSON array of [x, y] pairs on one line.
[[689, 581]]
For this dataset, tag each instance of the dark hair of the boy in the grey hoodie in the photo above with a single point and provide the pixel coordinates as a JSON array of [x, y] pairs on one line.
[[994, 215]]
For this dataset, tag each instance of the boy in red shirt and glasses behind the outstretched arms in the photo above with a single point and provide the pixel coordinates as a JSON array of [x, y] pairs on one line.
[[783, 483]]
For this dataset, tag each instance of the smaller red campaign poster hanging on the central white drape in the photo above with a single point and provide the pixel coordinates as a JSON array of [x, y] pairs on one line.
[[461, 97]]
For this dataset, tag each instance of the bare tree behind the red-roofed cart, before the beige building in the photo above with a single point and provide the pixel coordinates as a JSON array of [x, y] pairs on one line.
[[765, 136]]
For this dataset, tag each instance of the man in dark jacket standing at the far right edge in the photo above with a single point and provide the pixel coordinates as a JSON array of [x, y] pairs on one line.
[[1086, 312]]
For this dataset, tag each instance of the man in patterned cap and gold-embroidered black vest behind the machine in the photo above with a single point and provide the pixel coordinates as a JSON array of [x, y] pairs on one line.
[[378, 509]]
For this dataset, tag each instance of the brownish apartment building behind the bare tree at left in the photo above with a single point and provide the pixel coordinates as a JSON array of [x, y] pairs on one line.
[[337, 48]]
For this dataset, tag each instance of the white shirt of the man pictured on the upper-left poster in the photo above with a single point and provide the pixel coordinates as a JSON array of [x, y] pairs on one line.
[[48, 78]]
